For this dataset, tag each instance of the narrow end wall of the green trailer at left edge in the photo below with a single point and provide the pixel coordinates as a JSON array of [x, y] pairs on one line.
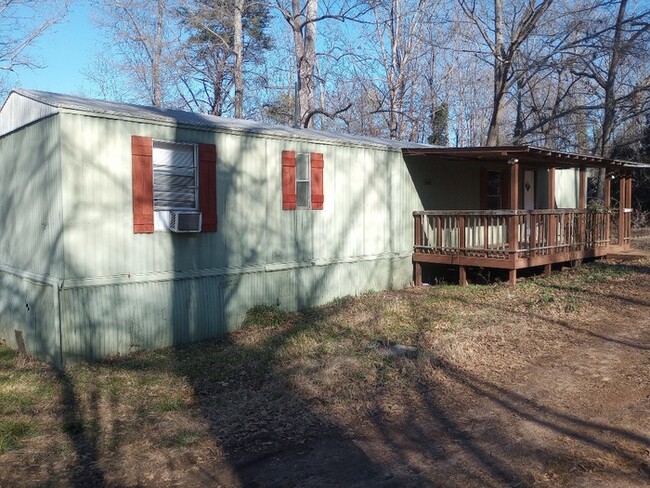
[[31, 252]]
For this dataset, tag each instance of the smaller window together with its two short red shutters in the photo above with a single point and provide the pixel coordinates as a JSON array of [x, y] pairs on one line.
[[302, 181]]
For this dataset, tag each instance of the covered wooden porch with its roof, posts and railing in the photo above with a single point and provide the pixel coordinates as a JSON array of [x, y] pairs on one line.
[[510, 231]]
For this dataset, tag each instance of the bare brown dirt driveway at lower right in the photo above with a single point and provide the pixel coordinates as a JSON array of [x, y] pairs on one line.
[[568, 405]]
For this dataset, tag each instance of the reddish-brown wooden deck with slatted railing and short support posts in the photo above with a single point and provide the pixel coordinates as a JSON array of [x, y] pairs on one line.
[[509, 239]]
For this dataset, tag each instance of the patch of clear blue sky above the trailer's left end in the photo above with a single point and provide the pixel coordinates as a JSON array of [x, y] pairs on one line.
[[65, 52]]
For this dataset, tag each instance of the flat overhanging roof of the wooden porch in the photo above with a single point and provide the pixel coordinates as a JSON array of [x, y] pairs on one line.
[[522, 154]]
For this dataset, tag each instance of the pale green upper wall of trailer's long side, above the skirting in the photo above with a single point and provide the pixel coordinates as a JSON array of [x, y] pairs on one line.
[[362, 203]]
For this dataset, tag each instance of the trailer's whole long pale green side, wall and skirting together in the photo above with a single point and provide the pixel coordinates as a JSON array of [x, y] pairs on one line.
[[124, 291]]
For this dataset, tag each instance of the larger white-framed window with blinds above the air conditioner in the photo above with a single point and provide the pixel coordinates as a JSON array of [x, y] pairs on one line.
[[175, 184]]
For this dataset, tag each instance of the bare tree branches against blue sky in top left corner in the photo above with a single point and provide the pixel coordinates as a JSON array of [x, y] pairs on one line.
[[22, 22]]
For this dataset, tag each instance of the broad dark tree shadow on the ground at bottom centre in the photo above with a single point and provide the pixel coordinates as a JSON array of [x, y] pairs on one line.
[[270, 435]]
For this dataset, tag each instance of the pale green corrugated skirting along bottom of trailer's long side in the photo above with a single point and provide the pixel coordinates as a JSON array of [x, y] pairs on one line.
[[119, 319]]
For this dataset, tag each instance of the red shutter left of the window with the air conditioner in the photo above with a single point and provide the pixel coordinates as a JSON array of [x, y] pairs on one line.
[[142, 170]]
